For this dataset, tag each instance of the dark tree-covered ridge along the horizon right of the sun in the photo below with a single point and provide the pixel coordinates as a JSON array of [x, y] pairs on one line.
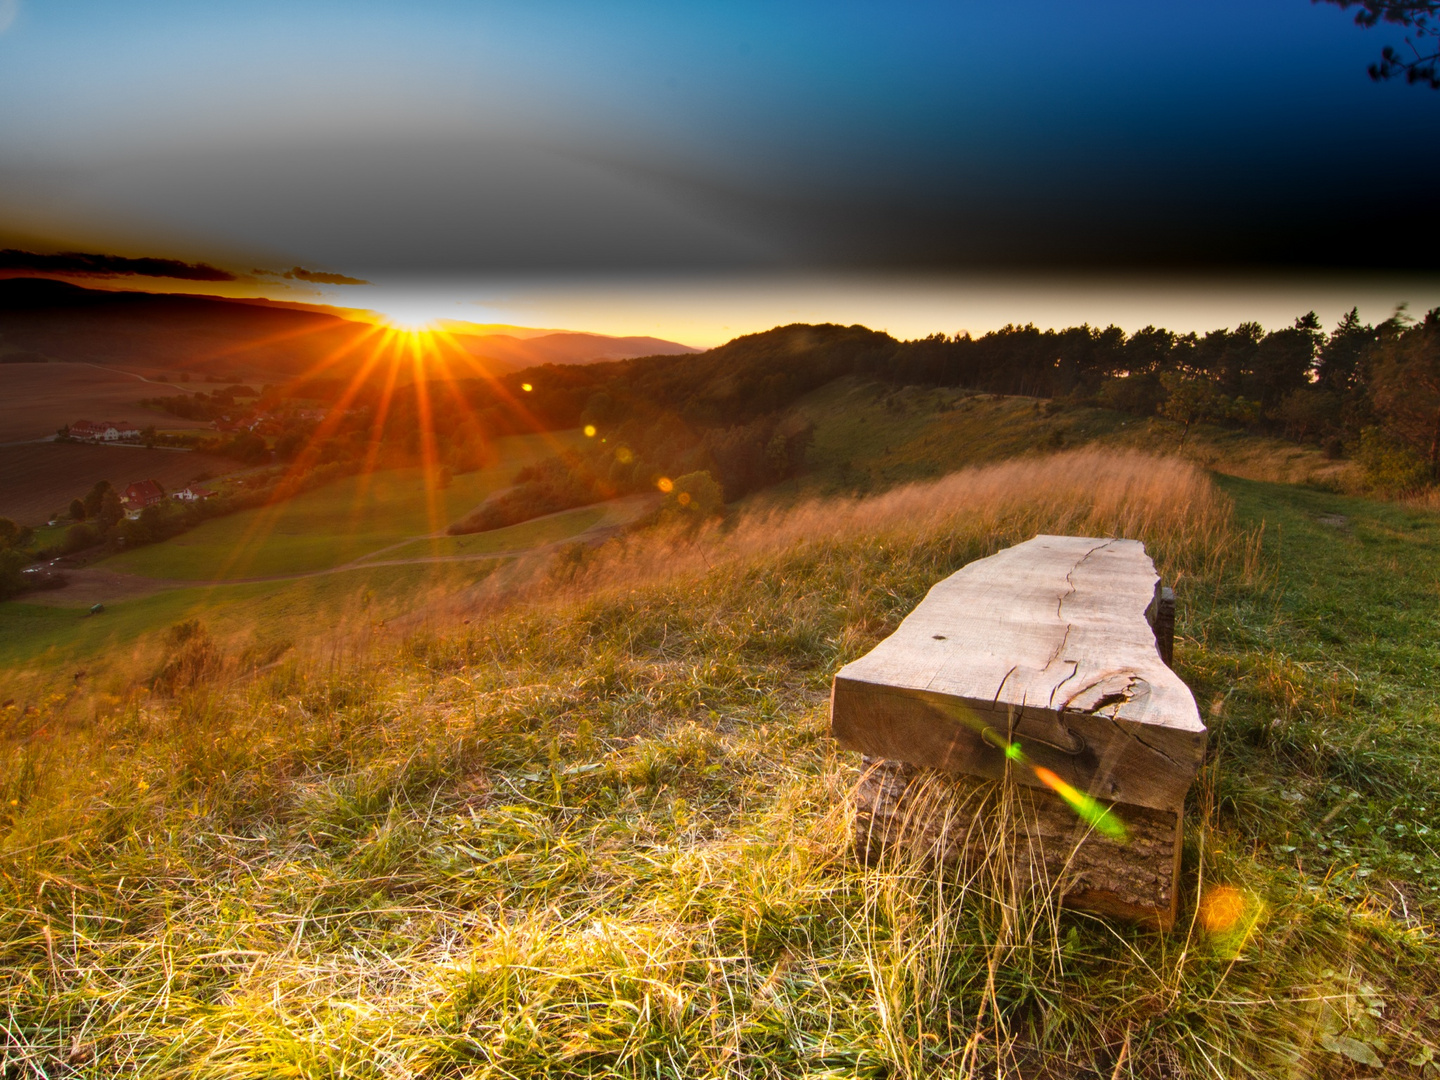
[[1366, 391]]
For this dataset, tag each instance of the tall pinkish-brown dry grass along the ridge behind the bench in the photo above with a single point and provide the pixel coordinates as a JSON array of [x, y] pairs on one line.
[[1167, 500]]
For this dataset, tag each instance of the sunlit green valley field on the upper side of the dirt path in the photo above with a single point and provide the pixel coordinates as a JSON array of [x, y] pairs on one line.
[[330, 526]]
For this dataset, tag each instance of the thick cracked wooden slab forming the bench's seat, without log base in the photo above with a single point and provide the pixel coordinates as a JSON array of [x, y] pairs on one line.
[[1048, 644]]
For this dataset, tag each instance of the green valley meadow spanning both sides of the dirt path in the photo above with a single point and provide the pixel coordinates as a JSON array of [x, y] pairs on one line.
[[387, 518]]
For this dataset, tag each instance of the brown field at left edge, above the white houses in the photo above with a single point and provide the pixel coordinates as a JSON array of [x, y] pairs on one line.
[[37, 400]]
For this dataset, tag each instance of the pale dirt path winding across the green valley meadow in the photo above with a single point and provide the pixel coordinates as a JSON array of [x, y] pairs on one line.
[[97, 585]]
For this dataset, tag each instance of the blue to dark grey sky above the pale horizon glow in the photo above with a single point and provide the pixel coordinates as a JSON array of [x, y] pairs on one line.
[[522, 140]]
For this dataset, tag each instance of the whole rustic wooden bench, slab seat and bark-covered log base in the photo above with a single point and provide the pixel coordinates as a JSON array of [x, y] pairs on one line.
[[1045, 666]]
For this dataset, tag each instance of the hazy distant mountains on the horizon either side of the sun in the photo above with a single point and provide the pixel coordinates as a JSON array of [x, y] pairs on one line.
[[212, 336]]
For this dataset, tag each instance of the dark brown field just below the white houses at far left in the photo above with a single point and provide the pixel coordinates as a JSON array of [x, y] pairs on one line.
[[41, 477]]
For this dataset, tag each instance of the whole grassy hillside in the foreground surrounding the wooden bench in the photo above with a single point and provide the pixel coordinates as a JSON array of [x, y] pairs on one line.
[[591, 824]]
